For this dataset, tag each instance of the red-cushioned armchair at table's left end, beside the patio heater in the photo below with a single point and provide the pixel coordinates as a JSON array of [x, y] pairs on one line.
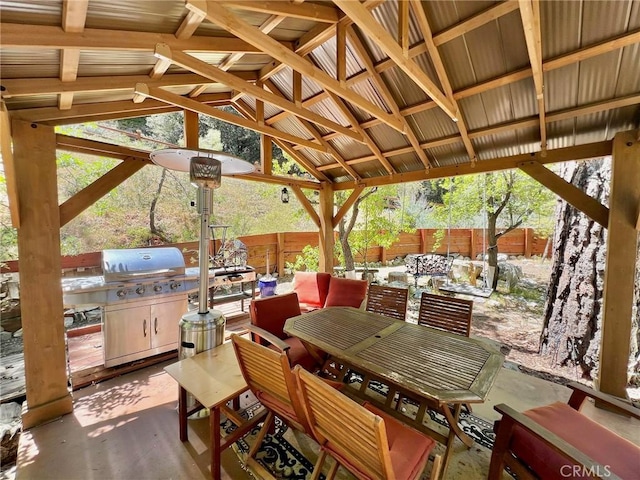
[[269, 314]]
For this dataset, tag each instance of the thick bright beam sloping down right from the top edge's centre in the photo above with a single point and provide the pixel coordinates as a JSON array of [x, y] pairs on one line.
[[365, 21]]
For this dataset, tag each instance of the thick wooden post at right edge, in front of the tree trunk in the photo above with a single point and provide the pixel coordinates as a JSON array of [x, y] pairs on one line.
[[622, 238]]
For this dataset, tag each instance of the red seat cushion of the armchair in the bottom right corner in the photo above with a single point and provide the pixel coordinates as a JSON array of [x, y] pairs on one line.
[[594, 440]]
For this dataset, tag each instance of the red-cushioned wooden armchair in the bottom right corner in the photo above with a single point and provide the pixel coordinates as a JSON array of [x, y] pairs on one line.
[[557, 442]]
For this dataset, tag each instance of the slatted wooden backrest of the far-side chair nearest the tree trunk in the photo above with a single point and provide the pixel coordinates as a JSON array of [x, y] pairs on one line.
[[446, 313]]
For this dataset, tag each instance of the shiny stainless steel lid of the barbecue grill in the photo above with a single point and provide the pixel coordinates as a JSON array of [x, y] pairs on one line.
[[131, 264]]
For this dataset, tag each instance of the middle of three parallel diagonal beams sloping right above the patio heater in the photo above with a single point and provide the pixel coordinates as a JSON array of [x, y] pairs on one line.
[[209, 71]]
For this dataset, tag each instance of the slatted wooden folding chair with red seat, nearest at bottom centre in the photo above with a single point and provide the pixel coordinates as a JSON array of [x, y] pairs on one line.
[[361, 438]]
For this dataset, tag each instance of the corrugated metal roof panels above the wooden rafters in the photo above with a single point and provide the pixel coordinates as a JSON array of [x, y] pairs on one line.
[[494, 50]]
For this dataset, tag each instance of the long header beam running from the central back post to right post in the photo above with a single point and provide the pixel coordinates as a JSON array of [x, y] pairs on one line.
[[580, 152]]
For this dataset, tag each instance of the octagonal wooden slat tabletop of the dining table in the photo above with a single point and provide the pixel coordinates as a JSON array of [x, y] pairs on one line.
[[433, 364]]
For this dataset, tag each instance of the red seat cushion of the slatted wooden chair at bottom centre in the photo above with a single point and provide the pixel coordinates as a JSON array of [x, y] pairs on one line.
[[409, 448]]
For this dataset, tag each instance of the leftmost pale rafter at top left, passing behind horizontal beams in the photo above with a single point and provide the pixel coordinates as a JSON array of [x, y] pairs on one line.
[[74, 15]]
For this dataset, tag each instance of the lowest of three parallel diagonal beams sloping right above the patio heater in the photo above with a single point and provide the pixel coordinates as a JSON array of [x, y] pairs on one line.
[[189, 104]]
